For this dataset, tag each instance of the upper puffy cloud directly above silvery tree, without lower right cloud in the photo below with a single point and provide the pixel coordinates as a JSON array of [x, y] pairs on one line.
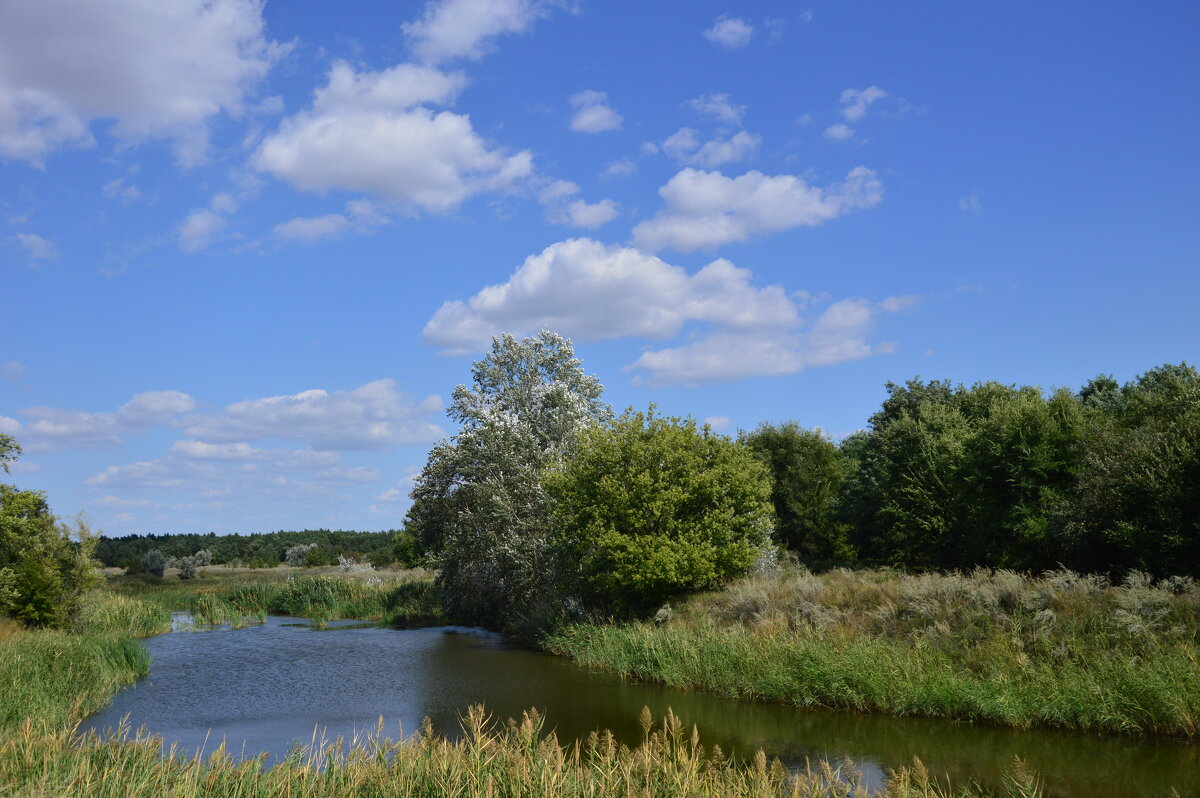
[[595, 292]]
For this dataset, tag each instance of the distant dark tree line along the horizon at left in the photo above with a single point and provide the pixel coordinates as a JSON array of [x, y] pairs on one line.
[[263, 550]]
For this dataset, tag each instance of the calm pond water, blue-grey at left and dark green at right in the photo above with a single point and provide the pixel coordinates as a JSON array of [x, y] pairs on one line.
[[267, 688]]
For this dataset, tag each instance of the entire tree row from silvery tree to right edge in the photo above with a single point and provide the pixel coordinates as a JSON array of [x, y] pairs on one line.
[[545, 506]]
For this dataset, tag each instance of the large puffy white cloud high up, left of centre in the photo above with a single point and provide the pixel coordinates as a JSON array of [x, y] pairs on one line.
[[368, 133]]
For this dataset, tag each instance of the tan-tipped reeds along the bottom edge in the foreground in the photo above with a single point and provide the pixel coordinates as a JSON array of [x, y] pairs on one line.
[[490, 760]]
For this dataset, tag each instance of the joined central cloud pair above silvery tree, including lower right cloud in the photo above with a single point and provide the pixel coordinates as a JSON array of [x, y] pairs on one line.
[[735, 329]]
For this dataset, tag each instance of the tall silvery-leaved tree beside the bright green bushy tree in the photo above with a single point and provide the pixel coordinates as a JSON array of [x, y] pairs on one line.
[[478, 506]]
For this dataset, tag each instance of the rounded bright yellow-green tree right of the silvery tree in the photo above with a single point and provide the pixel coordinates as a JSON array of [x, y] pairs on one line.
[[651, 507]]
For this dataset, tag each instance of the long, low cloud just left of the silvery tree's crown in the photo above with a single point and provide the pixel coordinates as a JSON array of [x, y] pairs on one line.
[[375, 416]]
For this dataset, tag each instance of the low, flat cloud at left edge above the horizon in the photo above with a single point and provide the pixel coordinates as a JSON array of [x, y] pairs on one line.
[[49, 429]]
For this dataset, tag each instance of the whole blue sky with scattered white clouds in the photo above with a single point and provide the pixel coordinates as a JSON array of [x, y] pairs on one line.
[[249, 250]]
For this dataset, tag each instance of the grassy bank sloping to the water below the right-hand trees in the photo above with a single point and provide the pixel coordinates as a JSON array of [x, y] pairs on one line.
[[1061, 651]]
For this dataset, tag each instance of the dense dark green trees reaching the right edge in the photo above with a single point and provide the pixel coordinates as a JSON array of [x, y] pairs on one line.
[[1102, 481]]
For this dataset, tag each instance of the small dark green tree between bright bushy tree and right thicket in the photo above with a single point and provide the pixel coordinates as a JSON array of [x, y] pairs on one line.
[[807, 476]]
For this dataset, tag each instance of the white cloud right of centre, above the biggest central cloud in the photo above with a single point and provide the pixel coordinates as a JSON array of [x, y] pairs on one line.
[[706, 209]]
